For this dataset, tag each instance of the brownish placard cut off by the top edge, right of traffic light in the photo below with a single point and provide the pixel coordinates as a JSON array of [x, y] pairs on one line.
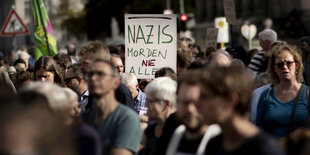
[[229, 10]]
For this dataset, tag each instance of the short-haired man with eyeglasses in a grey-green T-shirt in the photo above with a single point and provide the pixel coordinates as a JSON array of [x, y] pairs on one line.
[[117, 124]]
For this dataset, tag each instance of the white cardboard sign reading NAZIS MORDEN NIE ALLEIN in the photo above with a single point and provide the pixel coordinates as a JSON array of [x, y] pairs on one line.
[[150, 42]]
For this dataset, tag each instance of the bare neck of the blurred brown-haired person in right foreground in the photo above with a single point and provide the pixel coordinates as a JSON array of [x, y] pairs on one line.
[[236, 130]]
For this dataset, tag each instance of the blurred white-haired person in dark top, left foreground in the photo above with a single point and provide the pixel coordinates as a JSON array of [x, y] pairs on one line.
[[62, 103]]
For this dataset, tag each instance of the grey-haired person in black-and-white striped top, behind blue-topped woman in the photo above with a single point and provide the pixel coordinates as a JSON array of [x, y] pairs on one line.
[[259, 63]]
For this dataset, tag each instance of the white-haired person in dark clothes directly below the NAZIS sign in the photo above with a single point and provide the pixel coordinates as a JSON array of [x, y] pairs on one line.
[[161, 103]]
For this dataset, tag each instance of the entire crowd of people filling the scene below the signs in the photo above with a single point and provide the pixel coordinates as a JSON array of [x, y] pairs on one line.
[[223, 102]]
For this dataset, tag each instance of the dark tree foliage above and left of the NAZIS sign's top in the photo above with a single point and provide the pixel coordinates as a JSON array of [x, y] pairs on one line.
[[95, 20]]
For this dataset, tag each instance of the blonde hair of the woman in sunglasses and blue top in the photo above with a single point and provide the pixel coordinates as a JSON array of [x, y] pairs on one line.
[[297, 58]]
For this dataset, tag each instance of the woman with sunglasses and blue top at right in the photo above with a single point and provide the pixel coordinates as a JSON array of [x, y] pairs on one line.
[[283, 107]]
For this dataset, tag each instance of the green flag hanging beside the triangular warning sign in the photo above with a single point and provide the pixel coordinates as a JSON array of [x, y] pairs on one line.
[[45, 42]]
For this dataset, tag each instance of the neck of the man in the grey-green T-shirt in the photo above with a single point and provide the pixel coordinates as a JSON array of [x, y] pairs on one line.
[[105, 105]]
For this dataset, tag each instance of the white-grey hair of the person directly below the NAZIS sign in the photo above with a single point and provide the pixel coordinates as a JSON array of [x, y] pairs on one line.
[[163, 88]]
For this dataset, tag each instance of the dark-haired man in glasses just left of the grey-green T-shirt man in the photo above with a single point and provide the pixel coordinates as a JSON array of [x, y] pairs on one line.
[[75, 80]]
